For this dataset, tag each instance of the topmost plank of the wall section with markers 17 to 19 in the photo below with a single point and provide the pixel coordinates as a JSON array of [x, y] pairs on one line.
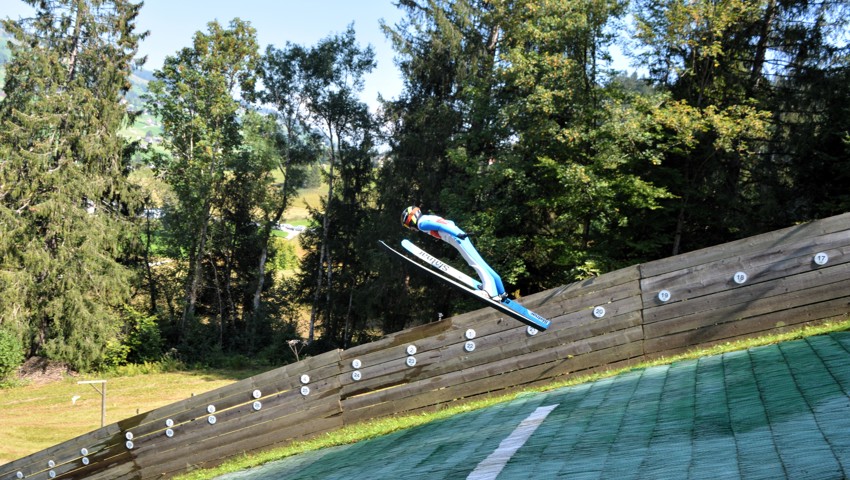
[[748, 245]]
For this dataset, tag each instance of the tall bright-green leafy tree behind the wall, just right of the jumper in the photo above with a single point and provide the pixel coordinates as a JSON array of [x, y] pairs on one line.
[[582, 180]]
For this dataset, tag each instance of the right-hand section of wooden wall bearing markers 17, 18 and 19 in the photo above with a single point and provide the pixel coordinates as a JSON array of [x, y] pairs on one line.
[[784, 286]]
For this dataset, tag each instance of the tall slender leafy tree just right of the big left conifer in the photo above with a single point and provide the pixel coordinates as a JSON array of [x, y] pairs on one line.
[[192, 95]]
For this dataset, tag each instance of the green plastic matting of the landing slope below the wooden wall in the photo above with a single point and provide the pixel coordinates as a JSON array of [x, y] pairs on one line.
[[780, 411]]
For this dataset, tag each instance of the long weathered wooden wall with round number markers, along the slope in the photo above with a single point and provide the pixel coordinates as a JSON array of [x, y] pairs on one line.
[[763, 284]]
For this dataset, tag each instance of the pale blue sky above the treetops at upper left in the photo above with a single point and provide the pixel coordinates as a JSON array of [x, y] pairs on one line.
[[173, 22]]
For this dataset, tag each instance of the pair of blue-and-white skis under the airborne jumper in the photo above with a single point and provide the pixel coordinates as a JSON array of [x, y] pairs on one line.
[[460, 281]]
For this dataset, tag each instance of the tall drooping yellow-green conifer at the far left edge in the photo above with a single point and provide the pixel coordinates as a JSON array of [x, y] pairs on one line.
[[66, 208]]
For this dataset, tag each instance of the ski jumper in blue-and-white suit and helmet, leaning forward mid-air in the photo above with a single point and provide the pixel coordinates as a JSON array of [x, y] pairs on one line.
[[447, 231]]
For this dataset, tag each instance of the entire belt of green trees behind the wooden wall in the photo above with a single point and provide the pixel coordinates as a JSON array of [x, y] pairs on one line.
[[511, 123]]
